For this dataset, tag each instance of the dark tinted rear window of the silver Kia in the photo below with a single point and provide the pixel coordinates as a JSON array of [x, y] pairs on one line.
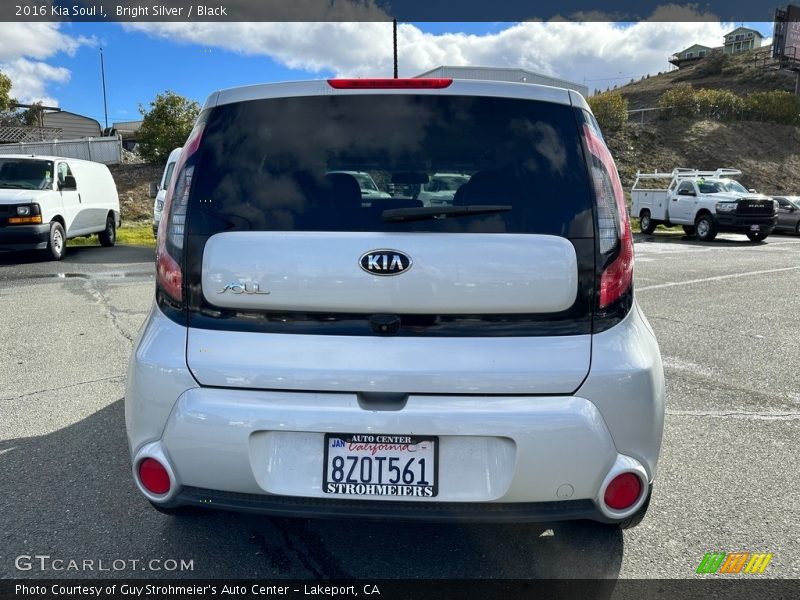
[[337, 163]]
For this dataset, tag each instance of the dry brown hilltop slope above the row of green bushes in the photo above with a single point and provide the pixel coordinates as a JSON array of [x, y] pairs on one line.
[[736, 73]]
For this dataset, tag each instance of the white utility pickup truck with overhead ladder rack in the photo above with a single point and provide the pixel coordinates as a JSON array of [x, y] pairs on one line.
[[704, 202]]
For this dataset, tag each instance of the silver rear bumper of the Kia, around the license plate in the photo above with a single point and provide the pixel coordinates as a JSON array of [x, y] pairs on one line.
[[501, 457]]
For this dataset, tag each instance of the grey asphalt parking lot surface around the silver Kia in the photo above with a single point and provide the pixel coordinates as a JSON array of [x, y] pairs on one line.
[[727, 316]]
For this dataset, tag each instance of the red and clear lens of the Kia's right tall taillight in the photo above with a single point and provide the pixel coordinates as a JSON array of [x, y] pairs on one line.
[[616, 278]]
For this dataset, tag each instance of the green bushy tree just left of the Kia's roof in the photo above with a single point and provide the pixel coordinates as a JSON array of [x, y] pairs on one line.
[[166, 125]]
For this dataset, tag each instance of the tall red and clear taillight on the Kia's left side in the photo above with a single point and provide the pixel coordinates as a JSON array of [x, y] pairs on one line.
[[172, 228]]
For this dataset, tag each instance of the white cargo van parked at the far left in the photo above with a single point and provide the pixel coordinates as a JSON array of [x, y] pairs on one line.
[[46, 200]]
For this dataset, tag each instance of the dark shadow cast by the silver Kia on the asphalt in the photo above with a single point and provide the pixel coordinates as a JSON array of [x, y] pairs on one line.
[[69, 495]]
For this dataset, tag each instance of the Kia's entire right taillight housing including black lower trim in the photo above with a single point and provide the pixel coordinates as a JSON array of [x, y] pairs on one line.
[[615, 240]]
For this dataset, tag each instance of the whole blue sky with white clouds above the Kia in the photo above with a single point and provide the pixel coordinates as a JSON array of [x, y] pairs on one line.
[[195, 60]]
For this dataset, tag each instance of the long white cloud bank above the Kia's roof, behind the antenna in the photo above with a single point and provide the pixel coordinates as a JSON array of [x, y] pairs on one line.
[[591, 51]]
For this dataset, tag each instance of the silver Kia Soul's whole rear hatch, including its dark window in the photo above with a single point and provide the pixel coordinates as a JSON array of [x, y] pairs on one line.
[[295, 281]]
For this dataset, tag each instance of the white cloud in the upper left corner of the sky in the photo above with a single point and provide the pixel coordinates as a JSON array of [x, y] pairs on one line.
[[23, 52]]
